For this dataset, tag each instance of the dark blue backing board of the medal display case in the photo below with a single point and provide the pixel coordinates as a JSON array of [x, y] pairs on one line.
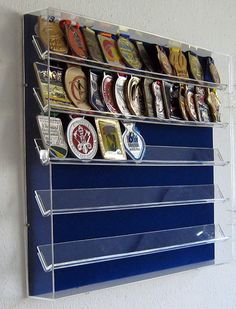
[[90, 225]]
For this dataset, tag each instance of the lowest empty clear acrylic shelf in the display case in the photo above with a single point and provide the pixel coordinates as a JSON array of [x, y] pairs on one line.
[[82, 252]]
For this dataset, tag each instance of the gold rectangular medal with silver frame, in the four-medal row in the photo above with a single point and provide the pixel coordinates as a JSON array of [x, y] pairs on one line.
[[110, 139]]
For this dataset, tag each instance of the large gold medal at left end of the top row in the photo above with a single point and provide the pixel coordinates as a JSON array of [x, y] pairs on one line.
[[51, 34]]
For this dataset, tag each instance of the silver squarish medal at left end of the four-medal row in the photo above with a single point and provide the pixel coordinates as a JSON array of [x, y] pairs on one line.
[[52, 135]]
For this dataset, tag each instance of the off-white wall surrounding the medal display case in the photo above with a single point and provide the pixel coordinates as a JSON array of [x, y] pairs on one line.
[[206, 23]]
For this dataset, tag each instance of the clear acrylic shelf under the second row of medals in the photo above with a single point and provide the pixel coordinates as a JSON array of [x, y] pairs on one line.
[[130, 118]]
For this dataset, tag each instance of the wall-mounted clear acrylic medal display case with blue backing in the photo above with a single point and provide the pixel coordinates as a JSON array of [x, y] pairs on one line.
[[99, 221]]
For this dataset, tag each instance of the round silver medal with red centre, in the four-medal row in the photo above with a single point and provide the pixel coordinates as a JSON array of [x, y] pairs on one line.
[[82, 138]]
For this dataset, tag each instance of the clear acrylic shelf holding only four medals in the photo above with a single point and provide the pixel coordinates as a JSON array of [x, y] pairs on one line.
[[154, 156]]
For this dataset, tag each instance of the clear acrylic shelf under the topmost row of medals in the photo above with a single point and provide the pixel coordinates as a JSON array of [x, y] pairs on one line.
[[44, 54]]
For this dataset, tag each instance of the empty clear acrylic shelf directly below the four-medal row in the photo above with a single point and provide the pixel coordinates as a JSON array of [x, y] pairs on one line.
[[69, 201]]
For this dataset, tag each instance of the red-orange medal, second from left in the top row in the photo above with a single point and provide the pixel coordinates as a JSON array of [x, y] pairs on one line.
[[76, 41]]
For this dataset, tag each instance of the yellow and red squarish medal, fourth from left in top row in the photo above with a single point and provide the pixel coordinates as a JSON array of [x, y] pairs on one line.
[[110, 51]]
